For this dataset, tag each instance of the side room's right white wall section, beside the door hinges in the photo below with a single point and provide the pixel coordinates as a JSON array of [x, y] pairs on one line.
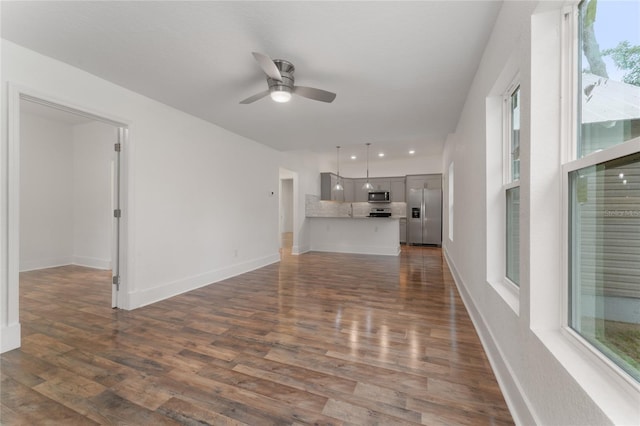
[[93, 155]]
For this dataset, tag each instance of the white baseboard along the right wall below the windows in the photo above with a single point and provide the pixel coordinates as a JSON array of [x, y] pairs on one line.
[[516, 399]]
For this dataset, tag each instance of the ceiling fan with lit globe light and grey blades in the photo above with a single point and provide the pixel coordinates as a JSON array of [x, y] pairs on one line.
[[280, 80]]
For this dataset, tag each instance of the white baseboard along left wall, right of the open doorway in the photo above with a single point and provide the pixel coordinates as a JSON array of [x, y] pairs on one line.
[[165, 291]]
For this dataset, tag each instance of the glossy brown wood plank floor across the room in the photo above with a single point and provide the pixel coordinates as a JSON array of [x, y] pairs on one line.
[[320, 338]]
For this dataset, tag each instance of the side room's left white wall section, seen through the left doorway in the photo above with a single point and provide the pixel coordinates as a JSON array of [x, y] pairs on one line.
[[46, 193]]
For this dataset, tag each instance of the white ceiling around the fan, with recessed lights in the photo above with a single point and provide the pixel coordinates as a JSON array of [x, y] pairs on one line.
[[401, 70]]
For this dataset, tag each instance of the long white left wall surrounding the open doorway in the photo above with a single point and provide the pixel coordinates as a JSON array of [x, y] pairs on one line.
[[197, 203]]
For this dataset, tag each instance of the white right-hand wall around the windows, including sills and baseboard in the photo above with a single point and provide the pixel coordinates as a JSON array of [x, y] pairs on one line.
[[546, 379]]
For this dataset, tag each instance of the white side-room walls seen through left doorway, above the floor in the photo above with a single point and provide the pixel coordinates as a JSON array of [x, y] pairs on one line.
[[69, 191]]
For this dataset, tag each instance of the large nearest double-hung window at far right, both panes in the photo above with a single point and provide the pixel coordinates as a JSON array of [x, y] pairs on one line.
[[604, 184]]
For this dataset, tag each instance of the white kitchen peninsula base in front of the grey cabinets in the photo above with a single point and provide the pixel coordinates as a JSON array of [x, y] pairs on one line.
[[358, 234]]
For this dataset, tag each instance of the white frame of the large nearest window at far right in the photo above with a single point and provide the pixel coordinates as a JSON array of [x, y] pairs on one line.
[[571, 162]]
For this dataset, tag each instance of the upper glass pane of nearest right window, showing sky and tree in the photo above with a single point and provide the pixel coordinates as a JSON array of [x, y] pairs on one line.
[[609, 74]]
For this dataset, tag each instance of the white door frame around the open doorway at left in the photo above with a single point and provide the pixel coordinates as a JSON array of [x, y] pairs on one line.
[[10, 300]]
